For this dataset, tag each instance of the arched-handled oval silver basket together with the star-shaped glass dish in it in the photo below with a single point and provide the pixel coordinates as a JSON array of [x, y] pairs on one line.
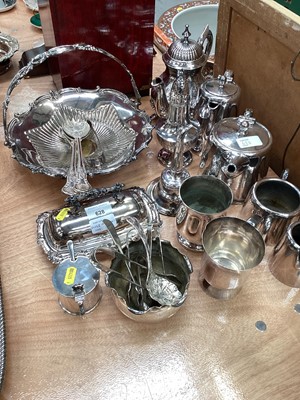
[[34, 136]]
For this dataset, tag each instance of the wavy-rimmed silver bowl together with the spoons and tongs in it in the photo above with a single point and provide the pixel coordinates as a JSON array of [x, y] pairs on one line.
[[149, 278]]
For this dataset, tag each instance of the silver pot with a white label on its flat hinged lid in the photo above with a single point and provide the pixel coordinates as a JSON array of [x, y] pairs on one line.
[[240, 153]]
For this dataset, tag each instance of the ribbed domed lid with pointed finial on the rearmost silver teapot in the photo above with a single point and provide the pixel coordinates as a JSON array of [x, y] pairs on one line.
[[185, 53]]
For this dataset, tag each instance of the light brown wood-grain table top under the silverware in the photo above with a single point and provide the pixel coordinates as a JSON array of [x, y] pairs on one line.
[[210, 349]]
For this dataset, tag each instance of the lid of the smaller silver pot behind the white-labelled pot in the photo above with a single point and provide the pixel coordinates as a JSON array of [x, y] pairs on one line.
[[223, 88]]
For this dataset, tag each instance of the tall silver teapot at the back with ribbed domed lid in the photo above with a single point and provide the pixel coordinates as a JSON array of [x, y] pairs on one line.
[[187, 55]]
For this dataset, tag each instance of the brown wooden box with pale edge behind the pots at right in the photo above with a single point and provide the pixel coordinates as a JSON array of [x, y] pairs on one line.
[[259, 40]]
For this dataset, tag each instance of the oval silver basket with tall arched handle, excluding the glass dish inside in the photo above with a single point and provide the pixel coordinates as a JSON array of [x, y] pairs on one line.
[[83, 101]]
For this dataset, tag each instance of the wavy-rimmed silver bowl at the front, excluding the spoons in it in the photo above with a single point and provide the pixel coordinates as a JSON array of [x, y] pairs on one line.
[[167, 262]]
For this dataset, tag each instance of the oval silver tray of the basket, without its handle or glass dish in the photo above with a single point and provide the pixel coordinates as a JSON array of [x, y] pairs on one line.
[[45, 106]]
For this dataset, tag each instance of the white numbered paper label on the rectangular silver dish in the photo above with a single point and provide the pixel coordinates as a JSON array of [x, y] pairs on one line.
[[97, 213]]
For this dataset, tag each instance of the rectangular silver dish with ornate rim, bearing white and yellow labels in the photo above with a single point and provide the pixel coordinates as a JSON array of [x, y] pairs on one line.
[[80, 220]]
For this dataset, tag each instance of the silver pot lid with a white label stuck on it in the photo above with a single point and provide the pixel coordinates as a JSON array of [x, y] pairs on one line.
[[242, 134]]
